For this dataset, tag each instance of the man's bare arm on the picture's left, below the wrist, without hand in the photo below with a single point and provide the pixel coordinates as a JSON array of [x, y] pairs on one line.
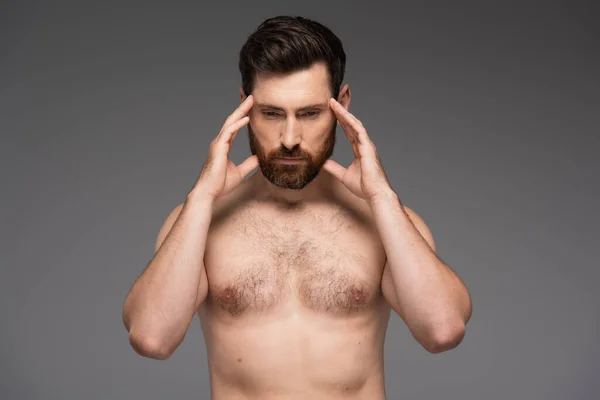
[[163, 300]]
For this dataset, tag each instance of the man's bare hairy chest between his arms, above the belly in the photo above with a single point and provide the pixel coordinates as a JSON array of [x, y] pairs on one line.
[[329, 261]]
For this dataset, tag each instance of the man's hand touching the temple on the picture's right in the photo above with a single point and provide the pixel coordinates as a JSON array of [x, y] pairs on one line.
[[365, 177]]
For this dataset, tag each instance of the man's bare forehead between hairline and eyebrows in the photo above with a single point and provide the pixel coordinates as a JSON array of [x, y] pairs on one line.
[[294, 89]]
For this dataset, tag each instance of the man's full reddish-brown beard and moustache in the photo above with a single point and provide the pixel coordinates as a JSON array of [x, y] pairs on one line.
[[291, 176]]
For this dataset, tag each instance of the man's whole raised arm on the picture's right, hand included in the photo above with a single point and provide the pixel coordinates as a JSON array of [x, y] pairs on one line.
[[420, 287]]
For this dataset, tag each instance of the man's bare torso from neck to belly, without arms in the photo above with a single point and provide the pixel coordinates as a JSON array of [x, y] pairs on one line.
[[294, 307]]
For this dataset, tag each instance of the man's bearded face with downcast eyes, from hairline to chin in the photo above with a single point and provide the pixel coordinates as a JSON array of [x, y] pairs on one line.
[[291, 118]]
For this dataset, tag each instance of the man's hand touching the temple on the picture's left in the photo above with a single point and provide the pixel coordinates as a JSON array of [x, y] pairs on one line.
[[220, 175]]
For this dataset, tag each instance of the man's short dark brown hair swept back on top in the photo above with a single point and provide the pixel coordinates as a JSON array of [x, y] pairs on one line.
[[285, 44]]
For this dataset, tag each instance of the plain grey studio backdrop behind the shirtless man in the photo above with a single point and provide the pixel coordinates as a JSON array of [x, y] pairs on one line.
[[486, 118]]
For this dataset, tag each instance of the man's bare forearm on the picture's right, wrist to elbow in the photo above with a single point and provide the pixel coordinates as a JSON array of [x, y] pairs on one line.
[[433, 300]]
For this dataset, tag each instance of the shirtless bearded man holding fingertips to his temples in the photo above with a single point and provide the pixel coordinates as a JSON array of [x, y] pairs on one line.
[[293, 271]]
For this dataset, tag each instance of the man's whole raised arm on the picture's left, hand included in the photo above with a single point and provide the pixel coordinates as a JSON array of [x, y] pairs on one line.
[[163, 300]]
